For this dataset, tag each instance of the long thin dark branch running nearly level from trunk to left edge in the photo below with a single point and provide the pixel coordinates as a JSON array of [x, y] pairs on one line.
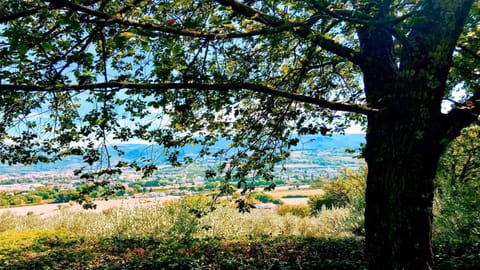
[[258, 88]]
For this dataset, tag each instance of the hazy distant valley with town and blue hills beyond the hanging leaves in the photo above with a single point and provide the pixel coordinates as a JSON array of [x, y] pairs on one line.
[[305, 165]]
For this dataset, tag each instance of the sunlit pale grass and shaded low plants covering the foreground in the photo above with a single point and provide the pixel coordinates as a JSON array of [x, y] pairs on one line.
[[183, 234]]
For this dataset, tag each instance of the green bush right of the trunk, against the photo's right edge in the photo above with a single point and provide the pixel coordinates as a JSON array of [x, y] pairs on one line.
[[457, 219]]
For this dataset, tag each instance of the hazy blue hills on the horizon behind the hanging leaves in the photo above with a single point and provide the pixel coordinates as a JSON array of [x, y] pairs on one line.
[[335, 145]]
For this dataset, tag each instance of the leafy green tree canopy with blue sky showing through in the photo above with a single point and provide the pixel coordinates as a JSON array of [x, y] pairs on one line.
[[257, 73]]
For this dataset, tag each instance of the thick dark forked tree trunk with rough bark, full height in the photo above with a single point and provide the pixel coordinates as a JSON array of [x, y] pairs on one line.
[[406, 138]]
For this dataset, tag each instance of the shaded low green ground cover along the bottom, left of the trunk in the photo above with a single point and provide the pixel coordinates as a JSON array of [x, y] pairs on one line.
[[43, 250]]
